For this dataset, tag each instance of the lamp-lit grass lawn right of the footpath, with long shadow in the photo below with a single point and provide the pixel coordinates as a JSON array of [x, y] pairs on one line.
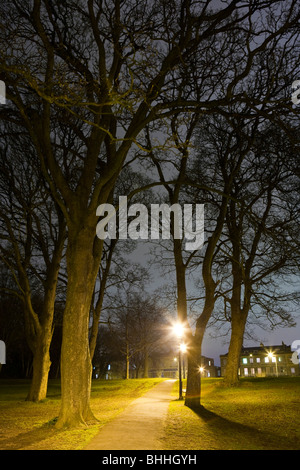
[[258, 414]]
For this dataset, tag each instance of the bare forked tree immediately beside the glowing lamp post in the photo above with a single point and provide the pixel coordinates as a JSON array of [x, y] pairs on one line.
[[198, 180]]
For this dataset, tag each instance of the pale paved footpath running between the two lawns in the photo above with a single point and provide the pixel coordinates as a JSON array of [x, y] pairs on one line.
[[140, 426]]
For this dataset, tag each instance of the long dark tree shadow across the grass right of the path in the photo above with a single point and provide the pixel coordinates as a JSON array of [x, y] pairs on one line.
[[240, 436]]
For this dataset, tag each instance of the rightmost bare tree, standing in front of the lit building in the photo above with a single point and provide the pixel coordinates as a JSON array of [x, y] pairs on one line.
[[260, 239]]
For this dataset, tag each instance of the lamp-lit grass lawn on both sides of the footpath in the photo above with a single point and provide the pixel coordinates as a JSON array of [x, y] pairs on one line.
[[259, 414]]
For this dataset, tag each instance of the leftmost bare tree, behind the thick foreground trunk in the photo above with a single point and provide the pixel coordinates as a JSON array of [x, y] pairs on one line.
[[32, 240]]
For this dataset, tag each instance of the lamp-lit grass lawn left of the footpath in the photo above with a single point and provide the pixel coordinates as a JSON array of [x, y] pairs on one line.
[[29, 426]]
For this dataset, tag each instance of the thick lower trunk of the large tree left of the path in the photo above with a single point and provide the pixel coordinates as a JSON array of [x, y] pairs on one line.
[[76, 366]]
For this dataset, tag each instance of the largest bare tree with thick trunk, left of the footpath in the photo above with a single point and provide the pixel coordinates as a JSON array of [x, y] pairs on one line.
[[95, 74]]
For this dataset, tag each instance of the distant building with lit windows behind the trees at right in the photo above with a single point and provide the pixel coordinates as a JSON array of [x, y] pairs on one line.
[[264, 361]]
